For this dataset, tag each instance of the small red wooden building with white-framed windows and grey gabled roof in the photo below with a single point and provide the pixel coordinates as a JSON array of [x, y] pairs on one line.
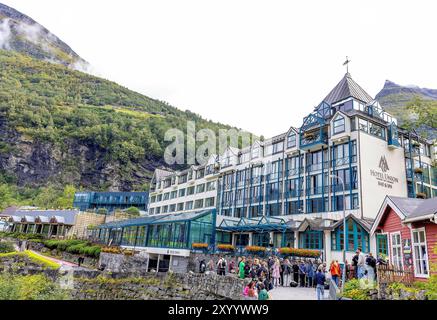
[[405, 231]]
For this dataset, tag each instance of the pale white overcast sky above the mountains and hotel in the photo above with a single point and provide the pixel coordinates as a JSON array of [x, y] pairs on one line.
[[257, 65]]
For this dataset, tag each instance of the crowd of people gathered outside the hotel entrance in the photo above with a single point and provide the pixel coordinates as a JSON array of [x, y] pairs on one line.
[[266, 274]]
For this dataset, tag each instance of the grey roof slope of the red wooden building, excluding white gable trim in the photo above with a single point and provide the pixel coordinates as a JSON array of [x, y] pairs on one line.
[[414, 208]]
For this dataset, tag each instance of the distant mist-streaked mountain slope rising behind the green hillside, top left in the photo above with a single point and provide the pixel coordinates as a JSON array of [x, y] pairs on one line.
[[21, 33]]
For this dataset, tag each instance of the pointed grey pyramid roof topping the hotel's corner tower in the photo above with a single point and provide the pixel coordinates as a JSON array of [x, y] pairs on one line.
[[346, 88]]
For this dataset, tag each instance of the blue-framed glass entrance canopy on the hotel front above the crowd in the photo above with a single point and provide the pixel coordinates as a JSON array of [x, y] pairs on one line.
[[264, 224]]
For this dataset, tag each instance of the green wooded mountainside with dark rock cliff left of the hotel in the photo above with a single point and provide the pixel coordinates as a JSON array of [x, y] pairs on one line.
[[60, 126]]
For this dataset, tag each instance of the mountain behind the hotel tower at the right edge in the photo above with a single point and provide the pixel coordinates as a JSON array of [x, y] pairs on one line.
[[395, 98]]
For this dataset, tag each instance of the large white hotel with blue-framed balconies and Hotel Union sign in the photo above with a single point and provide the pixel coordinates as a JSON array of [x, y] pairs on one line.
[[285, 191]]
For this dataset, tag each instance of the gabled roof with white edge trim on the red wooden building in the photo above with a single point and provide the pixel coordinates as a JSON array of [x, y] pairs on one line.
[[408, 209]]
